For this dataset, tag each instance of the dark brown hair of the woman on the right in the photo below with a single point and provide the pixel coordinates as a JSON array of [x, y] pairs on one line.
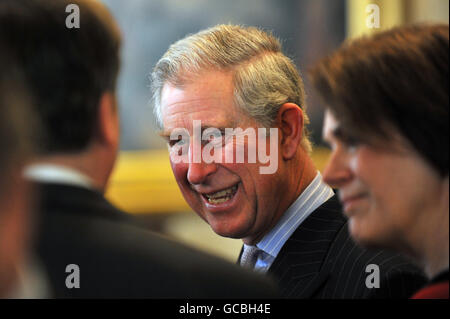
[[397, 79]]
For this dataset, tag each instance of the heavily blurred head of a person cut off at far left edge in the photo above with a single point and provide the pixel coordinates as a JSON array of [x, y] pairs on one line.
[[16, 129]]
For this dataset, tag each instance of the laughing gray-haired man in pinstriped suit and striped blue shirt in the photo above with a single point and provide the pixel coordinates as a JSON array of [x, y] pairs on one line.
[[225, 98]]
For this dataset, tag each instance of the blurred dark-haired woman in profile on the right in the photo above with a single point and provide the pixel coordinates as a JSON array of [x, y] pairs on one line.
[[387, 124]]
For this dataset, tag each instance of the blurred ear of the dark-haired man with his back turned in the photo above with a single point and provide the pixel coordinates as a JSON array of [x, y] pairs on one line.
[[108, 120]]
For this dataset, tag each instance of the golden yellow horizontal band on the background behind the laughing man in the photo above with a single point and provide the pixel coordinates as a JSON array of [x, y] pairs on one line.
[[143, 182]]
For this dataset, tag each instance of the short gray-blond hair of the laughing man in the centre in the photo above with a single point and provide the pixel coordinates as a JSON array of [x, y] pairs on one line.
[[263, 77]]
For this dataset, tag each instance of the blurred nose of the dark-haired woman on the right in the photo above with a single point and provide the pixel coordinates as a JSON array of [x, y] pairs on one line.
[[337, 171]]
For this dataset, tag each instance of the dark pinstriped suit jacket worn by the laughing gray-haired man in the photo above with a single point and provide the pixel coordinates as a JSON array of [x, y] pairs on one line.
[[320, 260]]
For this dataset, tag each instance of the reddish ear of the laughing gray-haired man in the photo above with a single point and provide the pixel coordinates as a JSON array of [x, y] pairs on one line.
[[290, 120]]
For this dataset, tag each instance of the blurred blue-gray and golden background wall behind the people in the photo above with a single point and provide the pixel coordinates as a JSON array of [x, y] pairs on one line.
[[142, 182]]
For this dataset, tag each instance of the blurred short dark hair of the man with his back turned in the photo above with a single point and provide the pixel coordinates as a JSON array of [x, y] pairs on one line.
[[67, 70]]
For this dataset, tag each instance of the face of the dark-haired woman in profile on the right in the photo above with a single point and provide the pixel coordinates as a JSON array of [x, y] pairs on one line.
[[388, 192]]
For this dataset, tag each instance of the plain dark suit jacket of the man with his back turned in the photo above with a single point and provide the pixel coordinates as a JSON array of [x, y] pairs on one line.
[[121, 260]]
